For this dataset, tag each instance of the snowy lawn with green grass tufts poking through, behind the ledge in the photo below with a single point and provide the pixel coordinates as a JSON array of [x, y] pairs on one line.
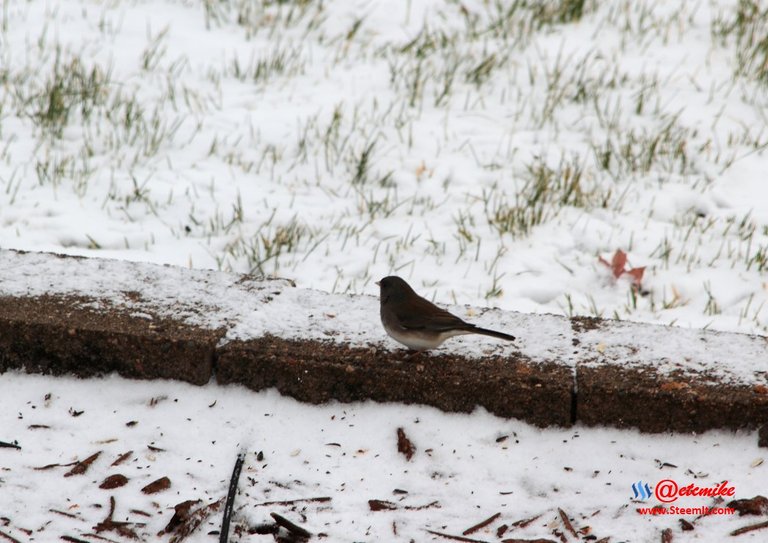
[[487, 151]]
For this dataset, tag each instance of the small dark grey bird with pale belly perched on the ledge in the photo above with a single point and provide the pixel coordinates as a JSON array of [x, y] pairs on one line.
[[418, 323]]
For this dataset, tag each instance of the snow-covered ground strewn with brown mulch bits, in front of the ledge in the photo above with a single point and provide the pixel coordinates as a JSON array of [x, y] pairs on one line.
[[468, 467]]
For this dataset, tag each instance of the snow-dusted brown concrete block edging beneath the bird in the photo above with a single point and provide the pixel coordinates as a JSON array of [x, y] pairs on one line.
[[61, 314]]
